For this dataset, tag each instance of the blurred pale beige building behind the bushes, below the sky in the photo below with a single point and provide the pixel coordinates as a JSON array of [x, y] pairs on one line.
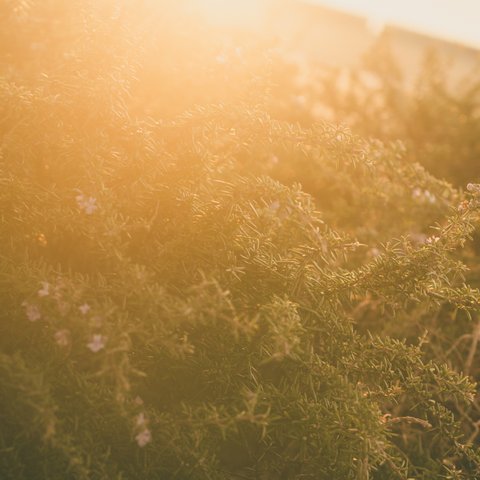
[[336, 38]]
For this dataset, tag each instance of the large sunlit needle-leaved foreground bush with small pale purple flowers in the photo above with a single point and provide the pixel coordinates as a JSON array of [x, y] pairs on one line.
[[193, 288]]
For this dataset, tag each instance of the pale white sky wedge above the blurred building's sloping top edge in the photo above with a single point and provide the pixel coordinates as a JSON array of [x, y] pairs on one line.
[[457, 20]]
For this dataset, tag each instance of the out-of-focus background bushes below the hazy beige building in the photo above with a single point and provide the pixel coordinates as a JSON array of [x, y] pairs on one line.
[[436, 114]]
